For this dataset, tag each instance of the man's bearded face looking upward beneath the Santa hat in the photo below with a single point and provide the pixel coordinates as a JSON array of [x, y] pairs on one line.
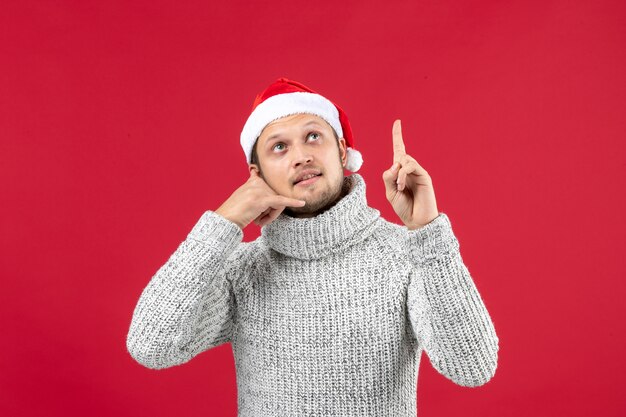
[[292, 145]]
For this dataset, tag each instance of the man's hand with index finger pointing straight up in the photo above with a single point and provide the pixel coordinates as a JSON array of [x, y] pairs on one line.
[[408, 187]]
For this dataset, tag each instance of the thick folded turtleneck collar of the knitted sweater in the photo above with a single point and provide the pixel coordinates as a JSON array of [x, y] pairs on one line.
[[348, 222]]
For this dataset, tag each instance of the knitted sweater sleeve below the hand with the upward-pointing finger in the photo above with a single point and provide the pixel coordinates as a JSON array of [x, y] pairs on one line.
[[447, 315]]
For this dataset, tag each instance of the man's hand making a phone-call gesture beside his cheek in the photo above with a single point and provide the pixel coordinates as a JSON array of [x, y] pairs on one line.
[[255, 201]]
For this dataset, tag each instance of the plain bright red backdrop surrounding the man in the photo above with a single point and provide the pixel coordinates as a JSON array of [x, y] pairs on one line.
[[119, 127]]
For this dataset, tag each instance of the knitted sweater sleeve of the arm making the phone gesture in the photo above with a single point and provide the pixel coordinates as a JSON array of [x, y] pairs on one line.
[[187, 307]]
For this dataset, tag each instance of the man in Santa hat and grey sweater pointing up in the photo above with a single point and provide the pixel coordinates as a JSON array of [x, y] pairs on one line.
[[329, 310]]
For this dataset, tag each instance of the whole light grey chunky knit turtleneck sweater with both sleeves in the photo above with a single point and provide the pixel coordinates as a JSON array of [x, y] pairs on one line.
[[326, 316]]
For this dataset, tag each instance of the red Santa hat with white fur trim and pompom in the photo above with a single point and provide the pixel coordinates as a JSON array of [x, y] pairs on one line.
[[285, 97]]
